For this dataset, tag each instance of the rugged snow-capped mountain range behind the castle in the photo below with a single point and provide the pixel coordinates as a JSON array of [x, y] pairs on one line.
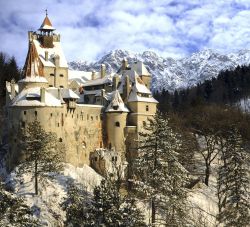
[[168, 73]]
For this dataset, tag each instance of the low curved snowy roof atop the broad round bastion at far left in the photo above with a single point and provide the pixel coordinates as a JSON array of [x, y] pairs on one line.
[[31, 97]]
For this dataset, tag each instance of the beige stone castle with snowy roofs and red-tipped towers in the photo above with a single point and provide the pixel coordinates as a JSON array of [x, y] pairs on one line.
[[89, 113]]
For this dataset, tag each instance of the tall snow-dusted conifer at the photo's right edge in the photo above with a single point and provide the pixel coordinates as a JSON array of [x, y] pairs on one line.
[[233, 183]]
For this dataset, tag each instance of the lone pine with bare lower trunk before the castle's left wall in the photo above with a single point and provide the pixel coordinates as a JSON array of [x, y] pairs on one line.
[[40, 151]]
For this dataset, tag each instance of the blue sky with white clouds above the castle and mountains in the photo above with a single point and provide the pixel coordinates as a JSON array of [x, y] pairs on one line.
[[91, 28]]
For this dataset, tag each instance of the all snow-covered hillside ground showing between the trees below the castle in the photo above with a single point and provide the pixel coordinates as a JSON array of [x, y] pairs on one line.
[[52, 192]]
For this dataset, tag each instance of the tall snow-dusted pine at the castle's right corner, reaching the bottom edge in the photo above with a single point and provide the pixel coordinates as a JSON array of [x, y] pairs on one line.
[[159, 173]]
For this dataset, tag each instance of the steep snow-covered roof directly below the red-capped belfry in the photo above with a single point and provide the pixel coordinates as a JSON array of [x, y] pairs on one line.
[[52, 53]]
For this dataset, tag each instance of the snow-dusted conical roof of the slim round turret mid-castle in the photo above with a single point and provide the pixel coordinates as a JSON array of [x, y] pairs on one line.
[[116, 104]]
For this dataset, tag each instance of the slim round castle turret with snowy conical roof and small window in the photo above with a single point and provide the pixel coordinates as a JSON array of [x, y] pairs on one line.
[[116, 114]]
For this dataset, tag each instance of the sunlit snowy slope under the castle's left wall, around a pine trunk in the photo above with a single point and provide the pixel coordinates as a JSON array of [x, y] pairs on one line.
[[52, 192]]
